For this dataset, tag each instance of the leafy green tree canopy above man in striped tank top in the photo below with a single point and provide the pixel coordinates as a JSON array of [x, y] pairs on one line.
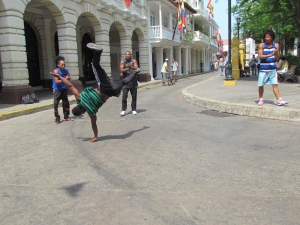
[[259, 15]]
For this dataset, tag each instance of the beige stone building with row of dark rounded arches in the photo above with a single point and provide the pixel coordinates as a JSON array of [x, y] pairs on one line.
[[33, 32]]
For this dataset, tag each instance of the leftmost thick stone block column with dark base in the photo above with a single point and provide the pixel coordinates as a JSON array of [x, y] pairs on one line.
[[13, 56]]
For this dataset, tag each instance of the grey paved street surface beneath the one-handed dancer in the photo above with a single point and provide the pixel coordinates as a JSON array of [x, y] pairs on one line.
[[173, 163]]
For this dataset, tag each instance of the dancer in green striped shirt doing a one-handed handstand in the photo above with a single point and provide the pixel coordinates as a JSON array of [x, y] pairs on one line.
[[91, 99]]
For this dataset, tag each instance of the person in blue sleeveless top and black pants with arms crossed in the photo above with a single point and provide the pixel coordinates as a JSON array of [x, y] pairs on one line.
[[60, 91]]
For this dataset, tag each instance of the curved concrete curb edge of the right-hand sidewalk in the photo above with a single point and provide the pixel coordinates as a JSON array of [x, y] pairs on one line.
[[277, 113]]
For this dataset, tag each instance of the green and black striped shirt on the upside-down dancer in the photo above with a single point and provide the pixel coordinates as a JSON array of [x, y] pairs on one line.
[[90, 100]]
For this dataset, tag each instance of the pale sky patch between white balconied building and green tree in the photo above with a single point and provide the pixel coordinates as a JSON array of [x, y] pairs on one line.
[[221, 16]]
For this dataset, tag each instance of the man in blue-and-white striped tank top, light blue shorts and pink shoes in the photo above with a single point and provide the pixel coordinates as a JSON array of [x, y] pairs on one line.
[[268, 53]]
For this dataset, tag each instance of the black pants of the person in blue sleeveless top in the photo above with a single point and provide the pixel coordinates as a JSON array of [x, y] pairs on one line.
[[61, 95]]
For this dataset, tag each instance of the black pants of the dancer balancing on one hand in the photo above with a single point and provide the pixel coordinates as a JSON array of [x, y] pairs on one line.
[[104, 83]]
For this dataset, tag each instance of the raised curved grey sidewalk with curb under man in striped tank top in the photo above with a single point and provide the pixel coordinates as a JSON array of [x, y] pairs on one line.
[[242, 98]]
